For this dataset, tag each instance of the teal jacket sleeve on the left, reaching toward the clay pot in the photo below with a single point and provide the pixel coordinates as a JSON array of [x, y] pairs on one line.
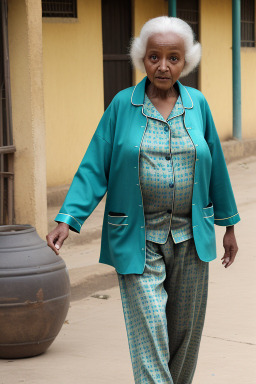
[[90, 182]]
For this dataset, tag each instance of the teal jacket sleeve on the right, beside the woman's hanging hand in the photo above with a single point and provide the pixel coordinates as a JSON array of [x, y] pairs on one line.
[[221, 193]]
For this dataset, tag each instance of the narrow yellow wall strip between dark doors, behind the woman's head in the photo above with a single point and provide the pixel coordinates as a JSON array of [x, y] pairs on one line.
[[143, 12]]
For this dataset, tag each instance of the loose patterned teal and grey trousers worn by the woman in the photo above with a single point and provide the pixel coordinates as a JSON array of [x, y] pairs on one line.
[[164, 312]]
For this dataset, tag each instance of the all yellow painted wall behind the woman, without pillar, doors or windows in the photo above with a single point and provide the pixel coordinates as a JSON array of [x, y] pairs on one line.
[[73, 77]]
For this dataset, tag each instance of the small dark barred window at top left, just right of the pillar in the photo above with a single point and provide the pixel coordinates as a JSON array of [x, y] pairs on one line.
[[59, 8]]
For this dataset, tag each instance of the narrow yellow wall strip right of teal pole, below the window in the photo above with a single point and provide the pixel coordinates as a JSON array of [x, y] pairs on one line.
[[248, 83]]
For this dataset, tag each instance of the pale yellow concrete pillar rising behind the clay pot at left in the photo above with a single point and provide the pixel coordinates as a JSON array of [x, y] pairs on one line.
[[26, 73]]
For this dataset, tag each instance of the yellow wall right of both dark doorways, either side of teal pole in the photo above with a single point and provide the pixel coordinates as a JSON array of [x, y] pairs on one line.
[[216, 69]]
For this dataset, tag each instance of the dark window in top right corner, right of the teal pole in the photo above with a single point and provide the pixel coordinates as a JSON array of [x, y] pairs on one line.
[[248, 23]]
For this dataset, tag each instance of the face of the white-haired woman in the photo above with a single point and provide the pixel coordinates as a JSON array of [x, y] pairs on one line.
[[164, 59]]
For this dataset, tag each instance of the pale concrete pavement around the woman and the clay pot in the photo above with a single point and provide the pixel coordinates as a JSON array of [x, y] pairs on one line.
[[92, 345]]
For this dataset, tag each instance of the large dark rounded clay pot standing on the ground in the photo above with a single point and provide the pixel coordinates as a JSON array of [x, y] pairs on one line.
[[34, 292]]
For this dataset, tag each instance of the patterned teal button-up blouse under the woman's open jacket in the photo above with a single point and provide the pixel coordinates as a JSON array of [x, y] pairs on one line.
[[167, 159]]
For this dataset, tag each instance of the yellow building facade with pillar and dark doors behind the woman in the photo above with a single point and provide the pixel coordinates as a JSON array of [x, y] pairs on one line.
[[67, 63]]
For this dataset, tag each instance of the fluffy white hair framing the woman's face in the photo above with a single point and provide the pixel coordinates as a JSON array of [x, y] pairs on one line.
[[165, 24]]
